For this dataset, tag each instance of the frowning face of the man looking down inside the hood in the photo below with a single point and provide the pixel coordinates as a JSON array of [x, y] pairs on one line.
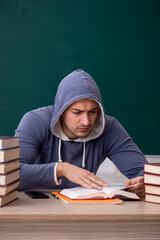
[[78, 119]]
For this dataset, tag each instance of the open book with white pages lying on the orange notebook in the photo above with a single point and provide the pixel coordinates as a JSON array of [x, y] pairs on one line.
[[113, 191]]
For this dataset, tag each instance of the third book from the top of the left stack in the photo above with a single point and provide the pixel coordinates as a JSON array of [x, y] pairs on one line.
[[9, 166]]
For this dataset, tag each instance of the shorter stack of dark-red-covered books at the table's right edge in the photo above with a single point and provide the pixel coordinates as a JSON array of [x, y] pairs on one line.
[[152, 182]]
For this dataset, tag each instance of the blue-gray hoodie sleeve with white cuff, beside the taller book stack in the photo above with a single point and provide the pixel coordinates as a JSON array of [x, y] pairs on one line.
[[32, 133]]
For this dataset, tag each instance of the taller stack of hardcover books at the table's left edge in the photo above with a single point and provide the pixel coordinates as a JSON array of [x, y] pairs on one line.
[[9, 169]]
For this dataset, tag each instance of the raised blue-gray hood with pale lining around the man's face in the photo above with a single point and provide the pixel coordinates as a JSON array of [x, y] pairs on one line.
[[75, 86]]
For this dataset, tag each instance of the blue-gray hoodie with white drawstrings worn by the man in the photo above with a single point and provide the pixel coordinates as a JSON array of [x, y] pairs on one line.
[[44, 144]]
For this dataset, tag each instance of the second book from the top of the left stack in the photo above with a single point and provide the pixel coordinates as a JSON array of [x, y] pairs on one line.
[[9, 154]]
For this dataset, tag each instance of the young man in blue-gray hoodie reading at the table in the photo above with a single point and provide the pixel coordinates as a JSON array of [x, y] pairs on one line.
[[64, 144]]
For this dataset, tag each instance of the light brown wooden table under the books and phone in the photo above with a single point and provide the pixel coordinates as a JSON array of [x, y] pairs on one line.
[[28, 218]]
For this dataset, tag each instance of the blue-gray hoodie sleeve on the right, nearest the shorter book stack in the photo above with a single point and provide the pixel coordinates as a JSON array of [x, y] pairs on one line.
[[123, 152]]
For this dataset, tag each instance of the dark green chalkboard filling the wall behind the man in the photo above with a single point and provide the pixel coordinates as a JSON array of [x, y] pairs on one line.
[[116, 42]]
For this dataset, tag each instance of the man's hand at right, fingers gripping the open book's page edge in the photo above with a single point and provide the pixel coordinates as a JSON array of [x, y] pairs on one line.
[[137, 186]]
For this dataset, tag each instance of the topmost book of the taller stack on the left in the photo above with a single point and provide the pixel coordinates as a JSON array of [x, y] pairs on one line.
[[8, 142]]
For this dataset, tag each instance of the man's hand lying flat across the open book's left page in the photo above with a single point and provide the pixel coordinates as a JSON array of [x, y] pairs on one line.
[[80, 176]]
